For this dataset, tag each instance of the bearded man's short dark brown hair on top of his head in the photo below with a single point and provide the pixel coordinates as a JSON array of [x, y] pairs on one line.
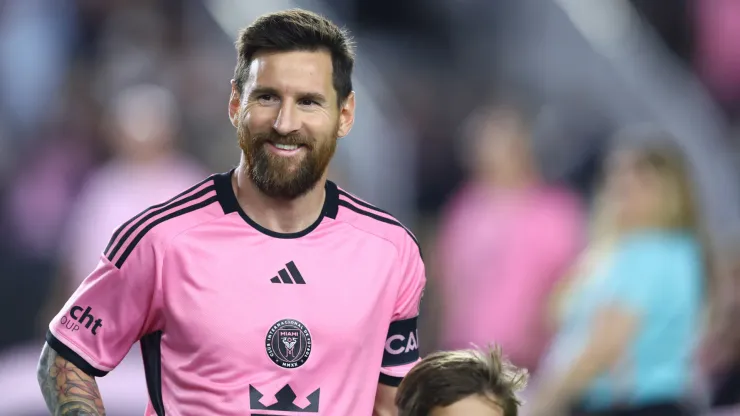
[[297, 30]]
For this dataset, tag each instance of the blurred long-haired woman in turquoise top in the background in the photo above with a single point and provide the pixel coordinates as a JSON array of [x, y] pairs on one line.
[[630, 316]]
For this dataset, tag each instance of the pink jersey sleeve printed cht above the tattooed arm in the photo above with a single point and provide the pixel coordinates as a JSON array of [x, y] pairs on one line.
[[110, 311]]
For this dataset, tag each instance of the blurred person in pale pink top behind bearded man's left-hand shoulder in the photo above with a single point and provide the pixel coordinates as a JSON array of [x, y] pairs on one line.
[[146, 168]]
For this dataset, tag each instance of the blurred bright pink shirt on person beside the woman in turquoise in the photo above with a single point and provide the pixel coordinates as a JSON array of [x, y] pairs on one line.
[[501, 253]]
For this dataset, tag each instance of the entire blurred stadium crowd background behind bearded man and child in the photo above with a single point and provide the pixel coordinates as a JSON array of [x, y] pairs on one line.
[[497, 130]]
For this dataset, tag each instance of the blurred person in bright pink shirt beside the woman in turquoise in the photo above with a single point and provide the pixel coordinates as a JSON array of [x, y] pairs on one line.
[[506, 238]]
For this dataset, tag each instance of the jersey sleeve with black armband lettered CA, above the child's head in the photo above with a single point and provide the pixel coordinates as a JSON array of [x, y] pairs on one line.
[[402, 341]]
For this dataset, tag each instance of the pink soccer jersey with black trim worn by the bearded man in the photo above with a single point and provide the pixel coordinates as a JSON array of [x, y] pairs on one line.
[[235, 319]]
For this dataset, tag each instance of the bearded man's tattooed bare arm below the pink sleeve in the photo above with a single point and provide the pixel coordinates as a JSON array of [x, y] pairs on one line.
[[68, 391]]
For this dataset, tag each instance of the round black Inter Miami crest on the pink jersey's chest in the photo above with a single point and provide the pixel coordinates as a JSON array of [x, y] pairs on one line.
[[288, 343]]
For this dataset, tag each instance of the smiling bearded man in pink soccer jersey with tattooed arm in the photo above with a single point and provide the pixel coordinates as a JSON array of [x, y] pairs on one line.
[[263, 289]]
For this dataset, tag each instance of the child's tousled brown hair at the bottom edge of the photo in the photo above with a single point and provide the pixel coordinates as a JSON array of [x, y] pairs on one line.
[[444, 378]]
